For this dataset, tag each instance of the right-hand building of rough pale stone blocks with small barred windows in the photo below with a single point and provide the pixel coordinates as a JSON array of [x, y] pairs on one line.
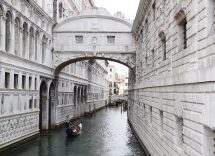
[[172, 104]]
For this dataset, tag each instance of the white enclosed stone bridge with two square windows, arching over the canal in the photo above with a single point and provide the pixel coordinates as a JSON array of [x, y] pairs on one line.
[[94, 34]]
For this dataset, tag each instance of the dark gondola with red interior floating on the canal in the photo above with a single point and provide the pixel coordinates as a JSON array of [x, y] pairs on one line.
[[73, 129]]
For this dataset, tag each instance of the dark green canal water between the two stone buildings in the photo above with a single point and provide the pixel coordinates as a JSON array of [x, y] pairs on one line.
[[105, 134]]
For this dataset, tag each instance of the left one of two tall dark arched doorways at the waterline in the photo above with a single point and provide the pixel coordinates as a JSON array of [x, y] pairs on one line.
[[43, 107]]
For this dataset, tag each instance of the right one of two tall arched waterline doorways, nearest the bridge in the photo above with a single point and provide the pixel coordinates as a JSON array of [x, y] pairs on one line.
[[52, 106]]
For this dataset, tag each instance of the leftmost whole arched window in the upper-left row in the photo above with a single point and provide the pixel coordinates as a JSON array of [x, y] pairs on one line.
[[8, 31]]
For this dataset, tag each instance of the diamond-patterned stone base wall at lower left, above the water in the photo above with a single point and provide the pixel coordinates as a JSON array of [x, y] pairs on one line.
[[18, 127]]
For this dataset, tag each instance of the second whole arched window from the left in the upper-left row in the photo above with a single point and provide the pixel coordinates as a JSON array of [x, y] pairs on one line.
[[17, 36]]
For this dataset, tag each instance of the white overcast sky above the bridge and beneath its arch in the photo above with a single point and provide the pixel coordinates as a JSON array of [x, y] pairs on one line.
[[127, 7]]
